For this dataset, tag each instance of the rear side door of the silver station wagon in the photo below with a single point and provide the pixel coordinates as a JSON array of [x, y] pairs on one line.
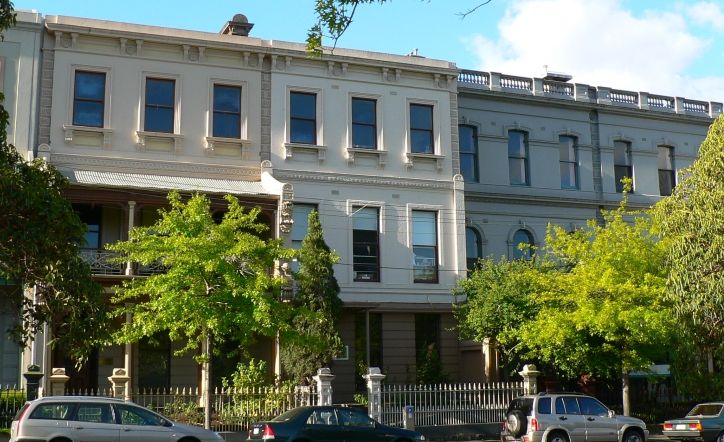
[[93, 422]]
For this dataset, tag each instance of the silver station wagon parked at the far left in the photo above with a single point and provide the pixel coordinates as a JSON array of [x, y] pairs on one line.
[[98, 419]]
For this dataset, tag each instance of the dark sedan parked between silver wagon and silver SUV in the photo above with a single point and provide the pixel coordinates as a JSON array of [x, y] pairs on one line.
[[329, 423]]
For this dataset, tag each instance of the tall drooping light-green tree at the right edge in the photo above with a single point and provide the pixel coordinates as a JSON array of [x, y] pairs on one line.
[[691, 221]]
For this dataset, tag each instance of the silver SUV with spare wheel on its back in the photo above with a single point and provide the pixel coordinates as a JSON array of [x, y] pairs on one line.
[[567, 417]]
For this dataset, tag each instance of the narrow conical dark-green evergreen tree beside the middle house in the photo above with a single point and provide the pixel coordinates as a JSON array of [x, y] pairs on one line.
[[318, 308]]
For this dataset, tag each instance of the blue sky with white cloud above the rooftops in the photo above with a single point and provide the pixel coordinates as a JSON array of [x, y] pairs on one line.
[[670, 47]]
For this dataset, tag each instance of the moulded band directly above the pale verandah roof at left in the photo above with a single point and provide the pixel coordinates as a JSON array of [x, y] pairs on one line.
[[86, 162]]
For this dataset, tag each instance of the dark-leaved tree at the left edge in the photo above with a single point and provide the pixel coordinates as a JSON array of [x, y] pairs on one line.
[[40, 235]]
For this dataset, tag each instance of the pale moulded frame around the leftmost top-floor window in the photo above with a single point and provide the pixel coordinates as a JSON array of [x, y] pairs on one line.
[[70, 130]]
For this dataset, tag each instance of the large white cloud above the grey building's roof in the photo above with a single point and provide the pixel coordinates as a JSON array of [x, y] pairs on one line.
[[599, 43]]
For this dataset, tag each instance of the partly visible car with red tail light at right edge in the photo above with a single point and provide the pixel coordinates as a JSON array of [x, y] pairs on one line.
[[705, 422]]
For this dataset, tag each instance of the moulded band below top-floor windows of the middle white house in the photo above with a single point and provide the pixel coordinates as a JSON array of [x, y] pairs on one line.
[[296, 175]]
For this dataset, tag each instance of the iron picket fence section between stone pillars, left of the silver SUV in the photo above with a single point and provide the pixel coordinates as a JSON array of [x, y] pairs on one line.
[[448, 404]]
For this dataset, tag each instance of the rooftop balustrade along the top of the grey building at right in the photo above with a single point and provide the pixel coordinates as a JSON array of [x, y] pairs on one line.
[[497, 82]]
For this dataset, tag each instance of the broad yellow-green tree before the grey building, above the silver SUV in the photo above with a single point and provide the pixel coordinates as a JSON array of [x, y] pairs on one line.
[[595, 305]]
